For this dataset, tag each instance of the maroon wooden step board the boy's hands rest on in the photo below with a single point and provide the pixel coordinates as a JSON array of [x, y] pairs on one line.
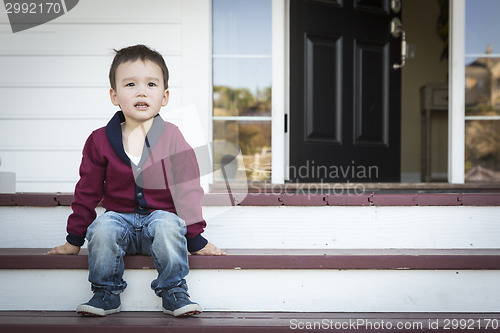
[[396, 259]]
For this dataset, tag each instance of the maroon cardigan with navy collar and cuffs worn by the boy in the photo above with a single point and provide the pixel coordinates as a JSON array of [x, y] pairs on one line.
[[167, 178]]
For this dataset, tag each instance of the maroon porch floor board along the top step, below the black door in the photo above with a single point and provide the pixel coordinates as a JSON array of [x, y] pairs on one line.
[[312, 195]]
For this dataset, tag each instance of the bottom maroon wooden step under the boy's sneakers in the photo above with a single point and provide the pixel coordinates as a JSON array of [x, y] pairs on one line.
[[236, 322]]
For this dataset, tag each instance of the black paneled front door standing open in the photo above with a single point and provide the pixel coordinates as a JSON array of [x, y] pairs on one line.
[[344, 92]]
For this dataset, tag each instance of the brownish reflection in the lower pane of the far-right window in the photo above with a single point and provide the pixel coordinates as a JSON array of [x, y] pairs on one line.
[[482, 150]]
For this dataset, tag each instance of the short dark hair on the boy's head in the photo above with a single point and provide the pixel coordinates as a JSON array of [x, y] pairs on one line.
[[134, 53]]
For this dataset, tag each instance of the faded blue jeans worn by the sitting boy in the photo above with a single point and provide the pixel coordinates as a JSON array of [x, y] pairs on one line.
[[160, 234]]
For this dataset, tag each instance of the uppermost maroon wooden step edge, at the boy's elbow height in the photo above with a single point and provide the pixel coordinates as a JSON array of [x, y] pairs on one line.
[[291, 199]]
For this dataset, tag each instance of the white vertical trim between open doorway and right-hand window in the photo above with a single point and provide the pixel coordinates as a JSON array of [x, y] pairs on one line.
[[456, 113]]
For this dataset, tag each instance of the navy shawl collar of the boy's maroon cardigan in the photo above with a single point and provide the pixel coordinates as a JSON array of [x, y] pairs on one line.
[[114, 135]]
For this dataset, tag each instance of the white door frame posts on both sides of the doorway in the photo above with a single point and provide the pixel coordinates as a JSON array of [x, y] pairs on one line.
[[281, 97]]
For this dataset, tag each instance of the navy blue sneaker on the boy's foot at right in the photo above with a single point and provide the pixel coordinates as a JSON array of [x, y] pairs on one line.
[[176, 302]]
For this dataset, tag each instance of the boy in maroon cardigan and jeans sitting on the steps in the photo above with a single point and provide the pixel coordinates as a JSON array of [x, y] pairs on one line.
[[147, 177]]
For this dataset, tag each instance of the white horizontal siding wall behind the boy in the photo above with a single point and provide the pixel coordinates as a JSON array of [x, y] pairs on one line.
[[54, 80]]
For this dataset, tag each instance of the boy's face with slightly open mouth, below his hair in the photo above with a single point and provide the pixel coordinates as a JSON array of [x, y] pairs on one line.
[[139, 90]]
